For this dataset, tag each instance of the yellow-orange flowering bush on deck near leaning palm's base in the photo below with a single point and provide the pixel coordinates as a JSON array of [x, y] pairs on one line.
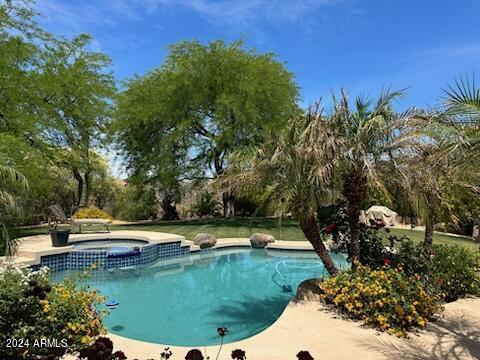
[[386, 299]]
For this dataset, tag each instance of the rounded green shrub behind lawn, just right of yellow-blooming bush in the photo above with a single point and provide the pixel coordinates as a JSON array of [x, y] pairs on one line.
[[136, 202]]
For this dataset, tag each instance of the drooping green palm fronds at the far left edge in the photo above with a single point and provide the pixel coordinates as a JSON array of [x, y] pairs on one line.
[[9, 208]]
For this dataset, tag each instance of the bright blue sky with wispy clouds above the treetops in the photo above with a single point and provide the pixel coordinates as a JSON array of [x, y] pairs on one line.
[[363, 45]]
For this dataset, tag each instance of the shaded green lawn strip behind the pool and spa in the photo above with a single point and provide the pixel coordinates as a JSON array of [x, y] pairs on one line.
[[244, 227]]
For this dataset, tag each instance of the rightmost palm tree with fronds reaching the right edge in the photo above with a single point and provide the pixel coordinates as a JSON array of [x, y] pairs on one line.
[[439, 168]]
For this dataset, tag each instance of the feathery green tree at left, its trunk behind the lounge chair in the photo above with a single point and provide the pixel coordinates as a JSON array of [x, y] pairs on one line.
[[76, 89]]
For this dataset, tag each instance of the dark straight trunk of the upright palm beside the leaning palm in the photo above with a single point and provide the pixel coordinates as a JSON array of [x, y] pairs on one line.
[[355, 191]]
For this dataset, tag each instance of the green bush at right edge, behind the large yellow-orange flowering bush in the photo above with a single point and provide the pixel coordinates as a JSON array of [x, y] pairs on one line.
[[453, 269]]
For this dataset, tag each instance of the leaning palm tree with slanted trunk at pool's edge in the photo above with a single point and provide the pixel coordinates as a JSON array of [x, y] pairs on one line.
[[295, 173]]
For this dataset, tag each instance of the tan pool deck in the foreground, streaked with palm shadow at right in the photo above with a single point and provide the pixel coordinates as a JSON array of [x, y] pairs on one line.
[[308, 326]]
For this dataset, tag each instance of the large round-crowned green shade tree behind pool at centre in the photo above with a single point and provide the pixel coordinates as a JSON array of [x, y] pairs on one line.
[[203, 103]]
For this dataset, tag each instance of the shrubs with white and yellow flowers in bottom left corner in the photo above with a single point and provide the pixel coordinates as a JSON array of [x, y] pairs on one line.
[[31, 308]]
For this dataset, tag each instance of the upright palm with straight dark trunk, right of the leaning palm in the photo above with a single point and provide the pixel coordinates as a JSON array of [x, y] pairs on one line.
[[368, 135]]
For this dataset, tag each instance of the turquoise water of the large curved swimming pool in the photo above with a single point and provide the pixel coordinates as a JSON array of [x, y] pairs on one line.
[[183, 301]]
